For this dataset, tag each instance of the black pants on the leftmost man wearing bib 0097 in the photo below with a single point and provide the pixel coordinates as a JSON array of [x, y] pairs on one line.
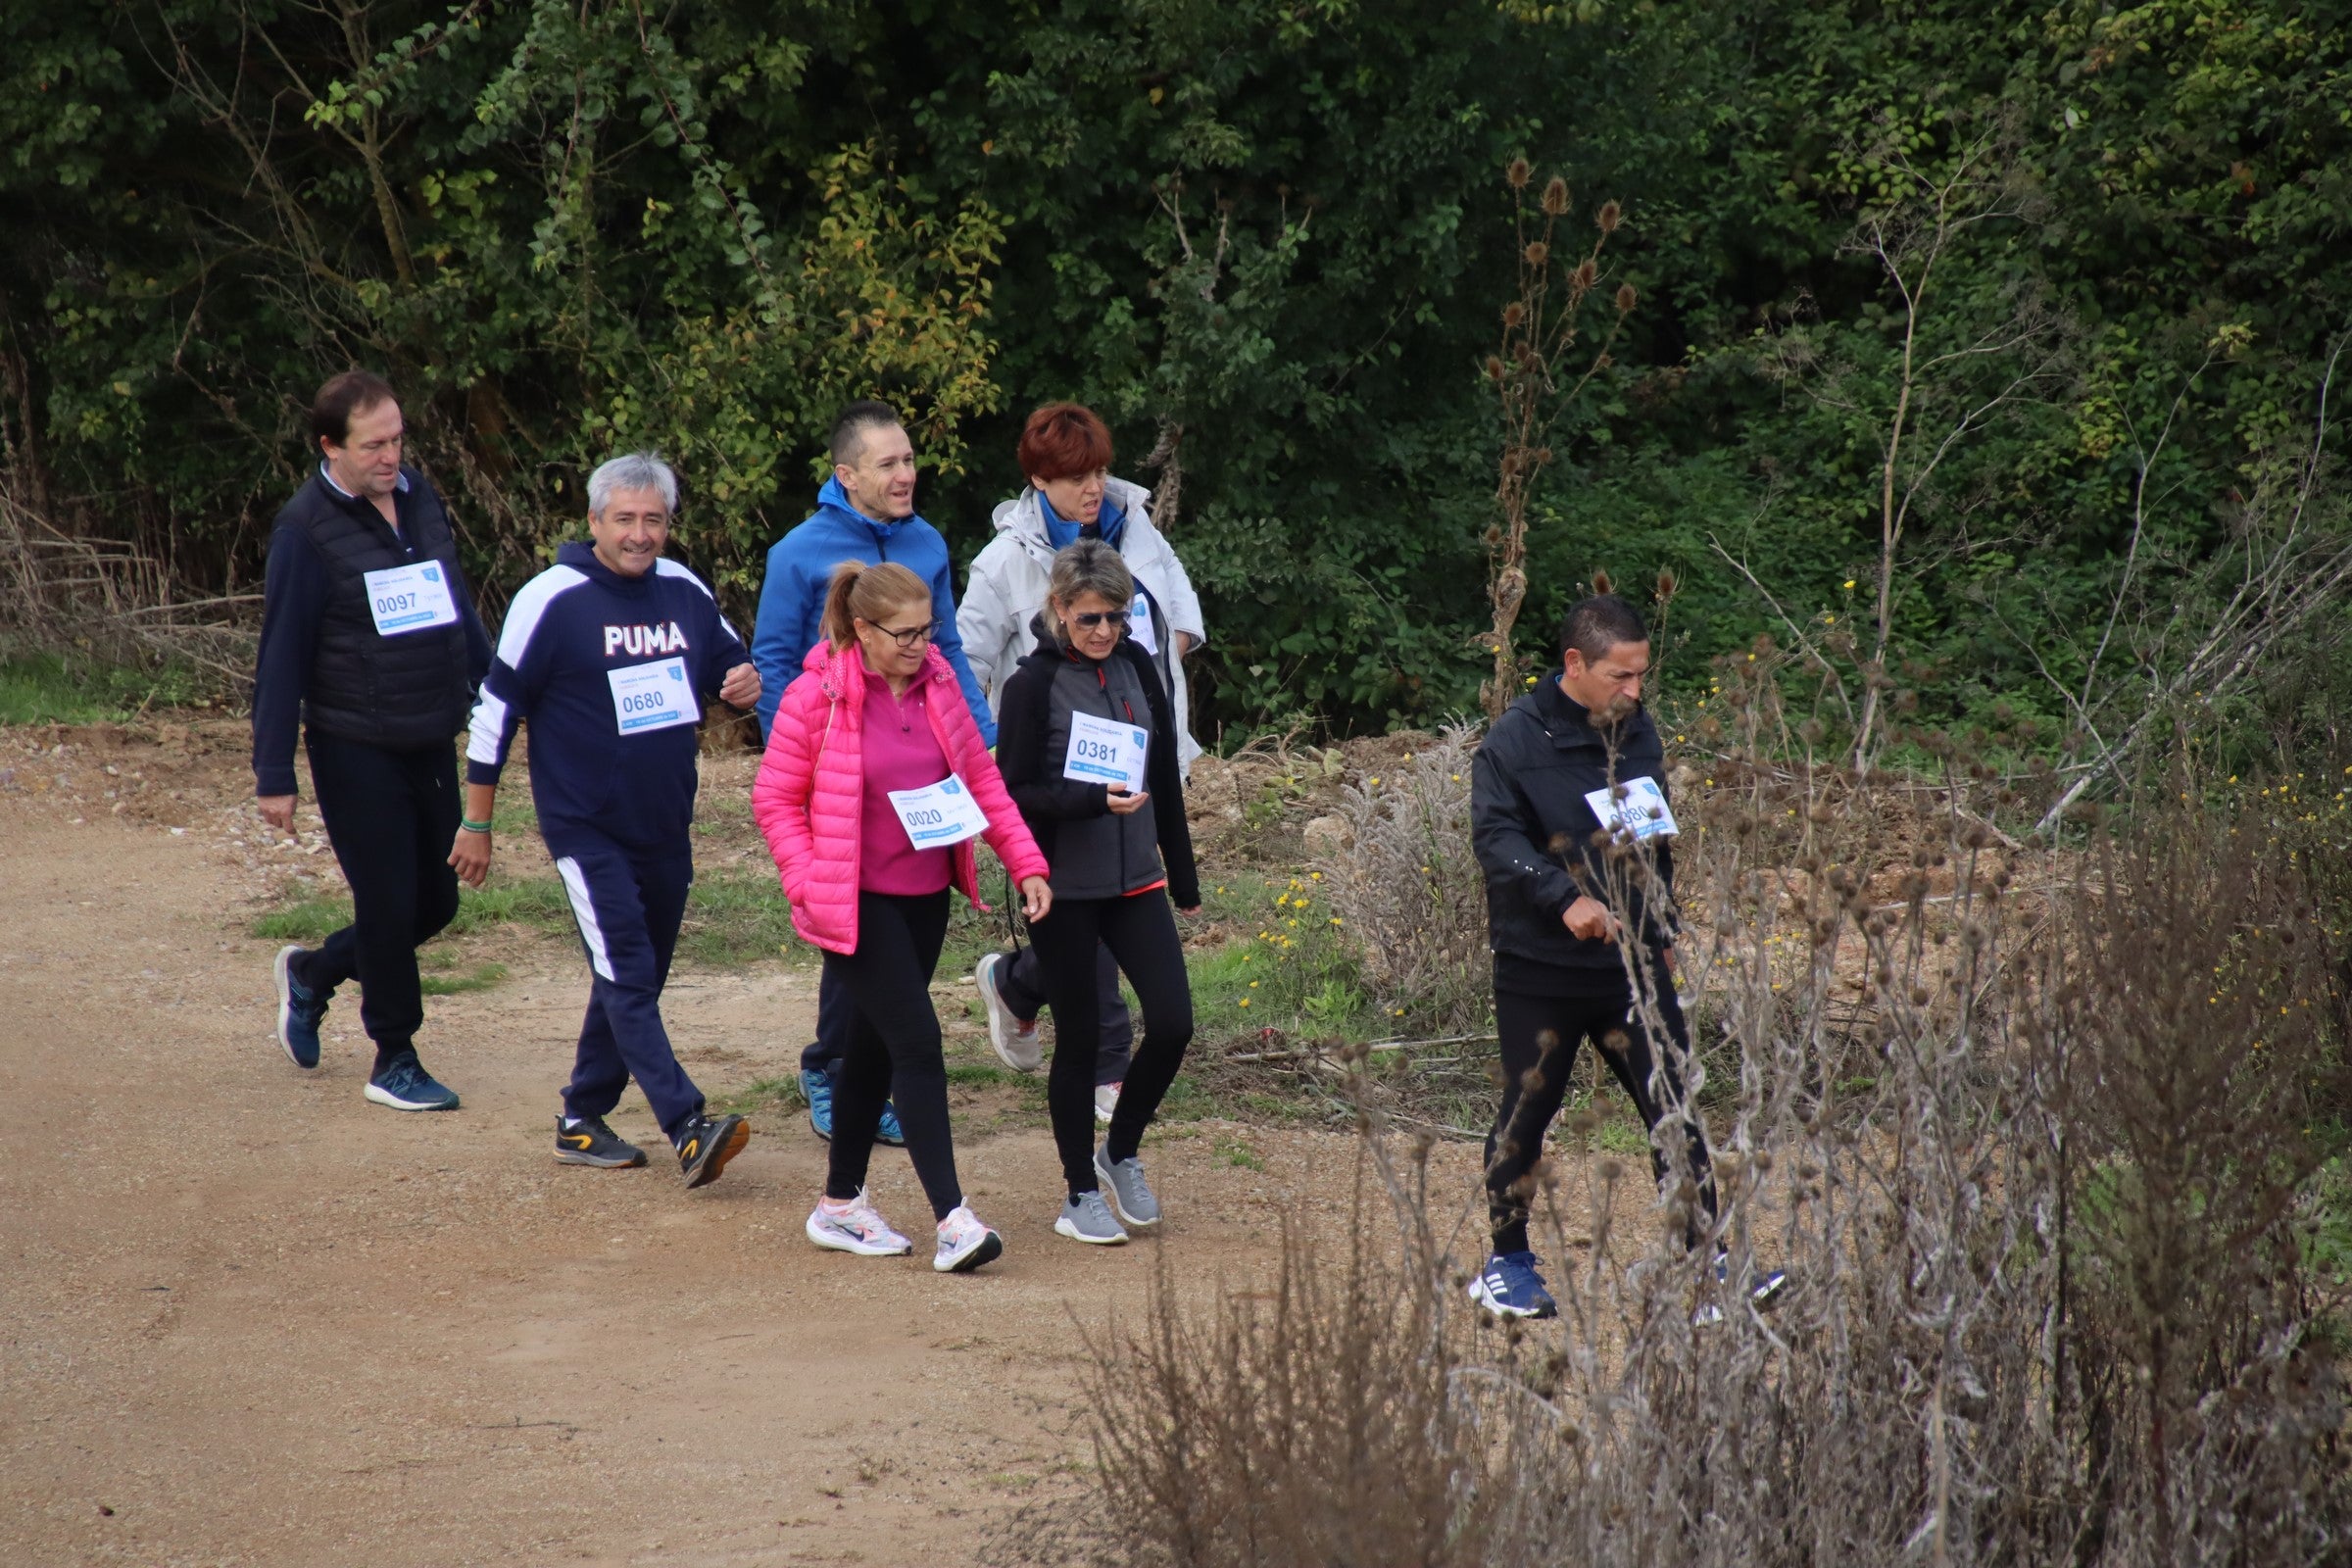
[[392, 817]]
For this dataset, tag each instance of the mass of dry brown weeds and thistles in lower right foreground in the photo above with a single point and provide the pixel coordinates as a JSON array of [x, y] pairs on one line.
[[2031, 1139]]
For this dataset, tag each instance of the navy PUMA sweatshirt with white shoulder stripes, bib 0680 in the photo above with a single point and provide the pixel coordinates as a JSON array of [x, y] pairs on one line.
[[563, 636]]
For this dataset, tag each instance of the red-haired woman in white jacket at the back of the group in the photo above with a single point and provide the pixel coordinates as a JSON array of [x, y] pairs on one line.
[[1071, 495]]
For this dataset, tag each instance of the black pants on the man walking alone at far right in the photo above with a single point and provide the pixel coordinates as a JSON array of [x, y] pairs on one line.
[[1546, 1033]]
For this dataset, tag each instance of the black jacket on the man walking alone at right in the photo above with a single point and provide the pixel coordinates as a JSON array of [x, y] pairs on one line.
[[1537, 836]]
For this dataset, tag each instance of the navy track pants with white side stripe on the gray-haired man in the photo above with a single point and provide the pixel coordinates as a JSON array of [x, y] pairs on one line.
[[629, 904]]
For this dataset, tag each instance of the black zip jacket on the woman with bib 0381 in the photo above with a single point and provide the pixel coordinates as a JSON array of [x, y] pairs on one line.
[[1095, 855]]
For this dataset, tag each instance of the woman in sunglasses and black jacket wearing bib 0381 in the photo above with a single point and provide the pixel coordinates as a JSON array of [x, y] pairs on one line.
[[1088, 744]]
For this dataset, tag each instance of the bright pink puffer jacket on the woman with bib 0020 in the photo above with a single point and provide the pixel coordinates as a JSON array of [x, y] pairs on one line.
[[813, 791]]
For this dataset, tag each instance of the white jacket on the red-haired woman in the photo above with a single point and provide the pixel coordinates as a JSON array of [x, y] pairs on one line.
[[1010, 587]]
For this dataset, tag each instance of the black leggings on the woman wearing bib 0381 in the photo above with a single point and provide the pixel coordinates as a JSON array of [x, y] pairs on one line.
[[1142, 937]]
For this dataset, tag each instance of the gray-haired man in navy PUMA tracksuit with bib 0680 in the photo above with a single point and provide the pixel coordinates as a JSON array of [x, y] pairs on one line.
[[608, 655]]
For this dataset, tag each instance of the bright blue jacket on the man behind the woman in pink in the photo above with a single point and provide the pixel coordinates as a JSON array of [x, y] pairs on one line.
[[794, 596]]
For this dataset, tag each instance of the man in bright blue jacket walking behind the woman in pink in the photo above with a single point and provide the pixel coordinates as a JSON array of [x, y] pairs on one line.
[[864, 514]]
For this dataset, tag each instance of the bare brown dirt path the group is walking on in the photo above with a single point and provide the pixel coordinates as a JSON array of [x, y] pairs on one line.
[[248, 1318]]
